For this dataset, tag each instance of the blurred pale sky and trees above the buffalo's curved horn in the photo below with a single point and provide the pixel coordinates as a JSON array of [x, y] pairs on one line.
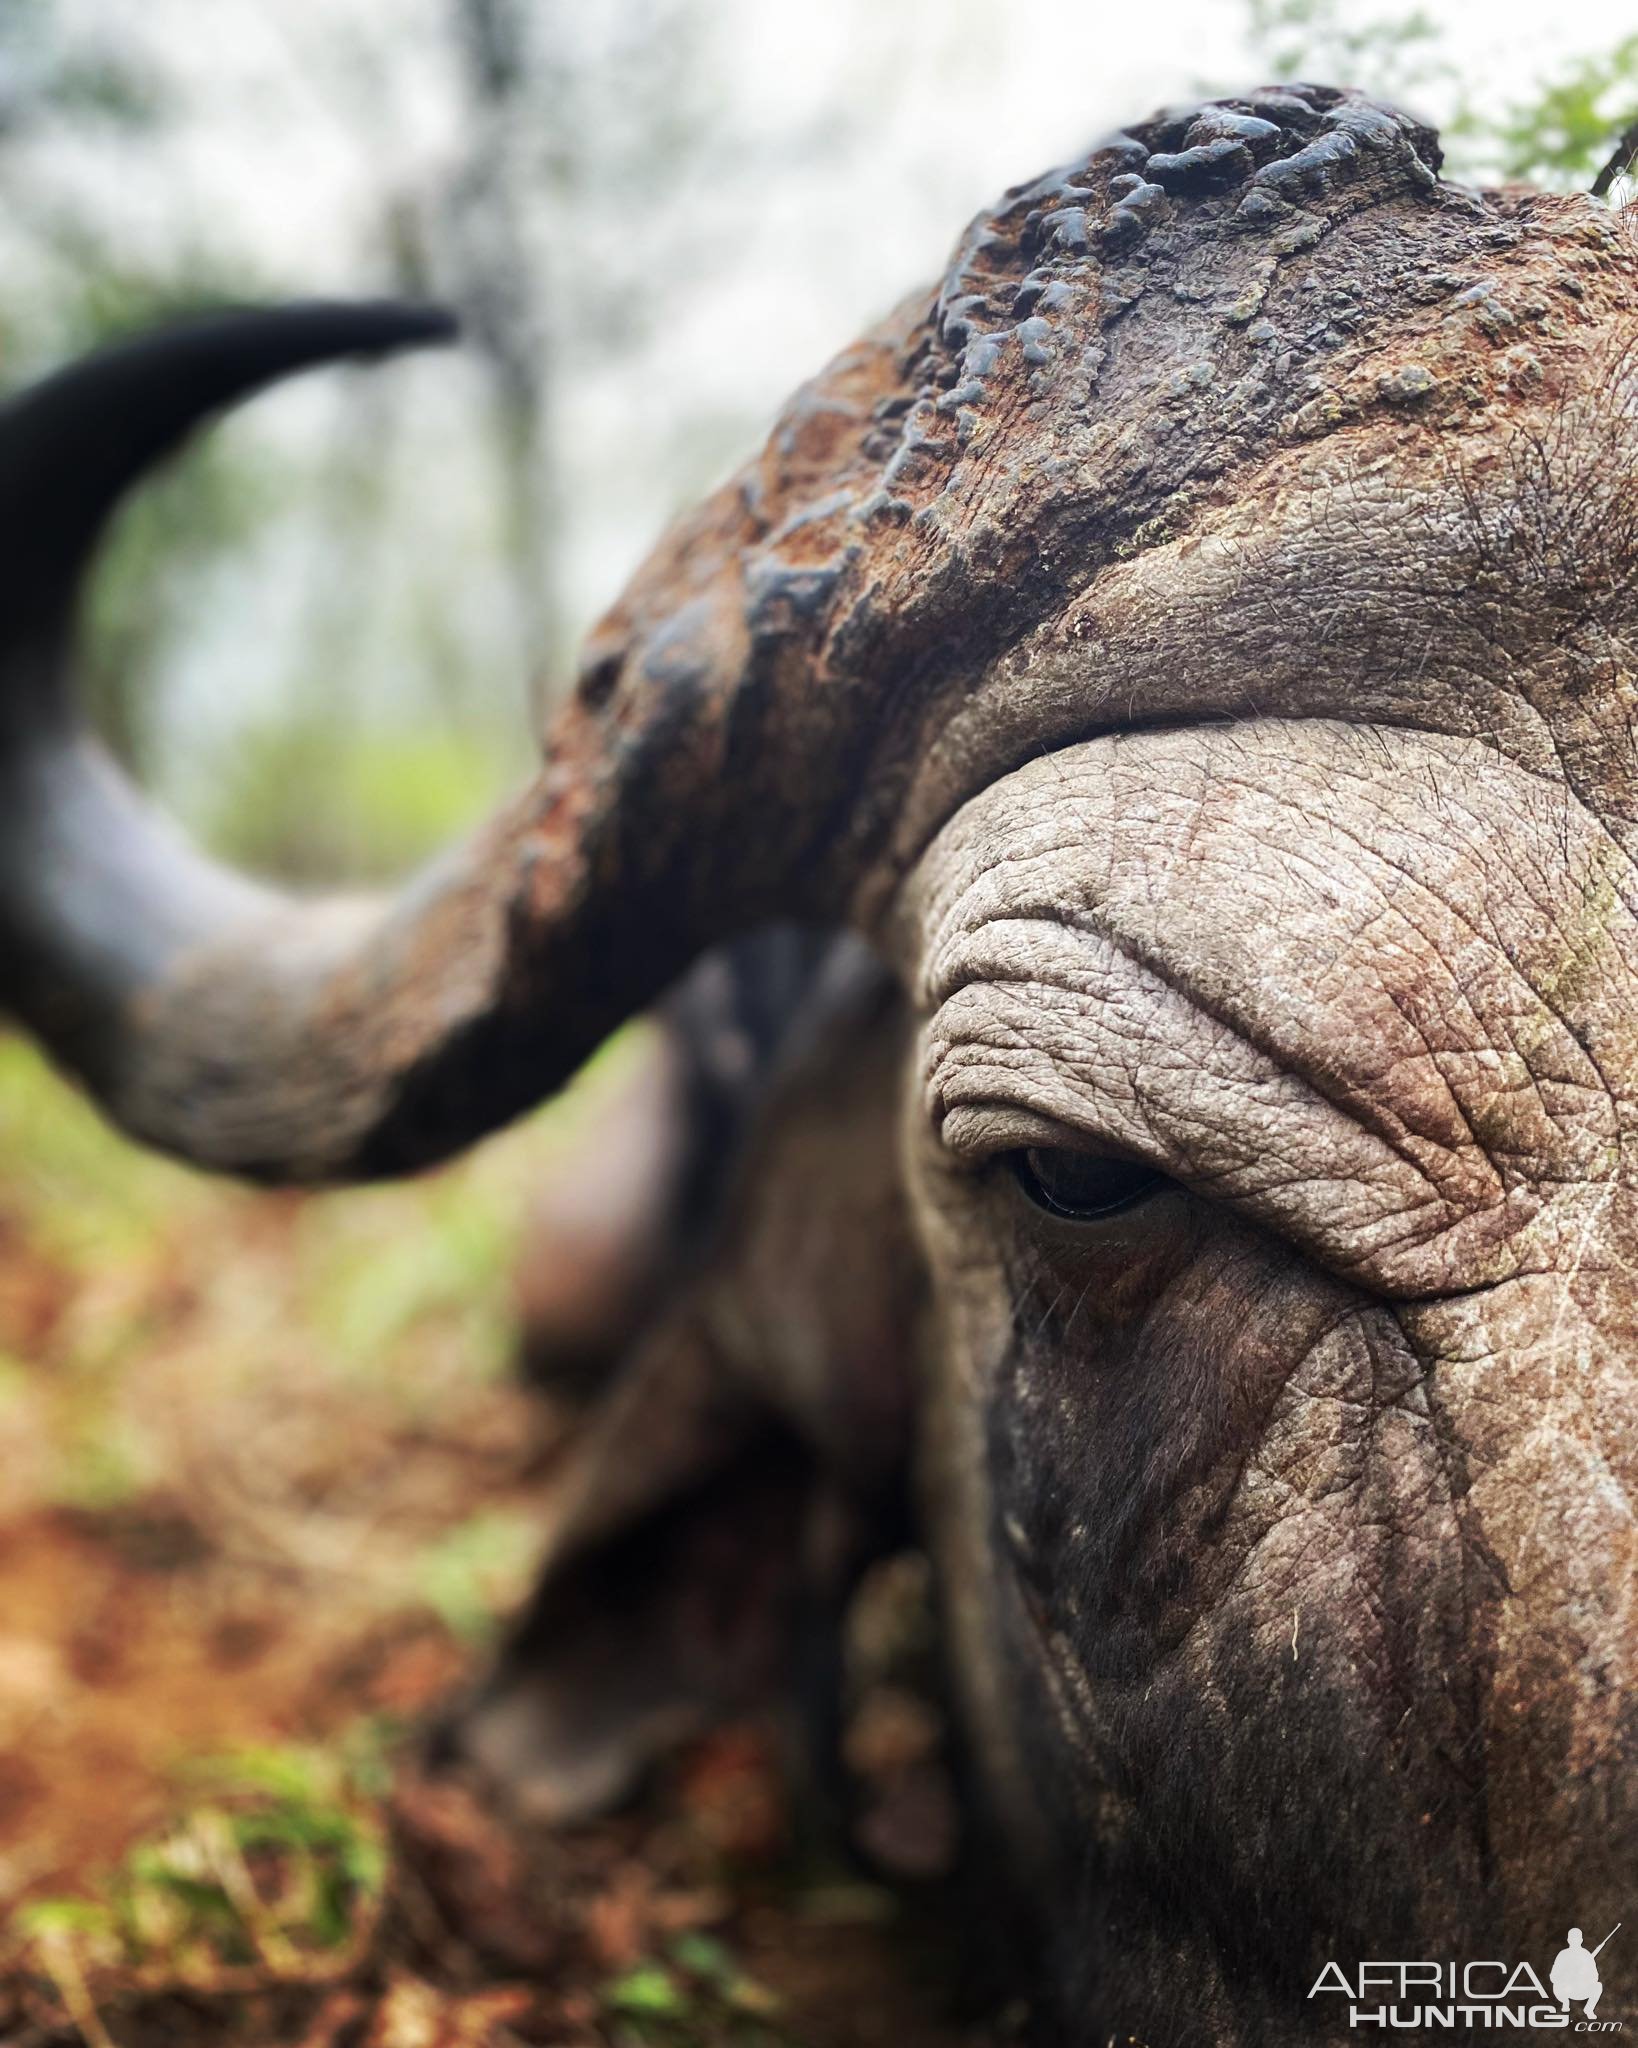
[[329, 638]]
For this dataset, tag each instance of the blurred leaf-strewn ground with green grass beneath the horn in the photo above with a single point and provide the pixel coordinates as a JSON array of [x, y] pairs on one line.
[[265, 1496]]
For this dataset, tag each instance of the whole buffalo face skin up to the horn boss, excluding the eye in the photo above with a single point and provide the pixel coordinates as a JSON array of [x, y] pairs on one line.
[[1287, 1519]]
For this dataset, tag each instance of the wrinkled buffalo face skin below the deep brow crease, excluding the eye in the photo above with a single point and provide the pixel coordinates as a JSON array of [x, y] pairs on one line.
[[1303, 1486]]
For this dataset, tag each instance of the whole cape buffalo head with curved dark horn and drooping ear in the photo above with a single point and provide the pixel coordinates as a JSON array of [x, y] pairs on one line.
[[1184, 671]]
